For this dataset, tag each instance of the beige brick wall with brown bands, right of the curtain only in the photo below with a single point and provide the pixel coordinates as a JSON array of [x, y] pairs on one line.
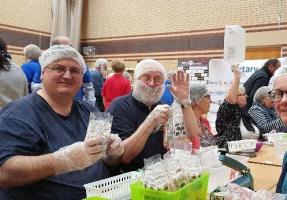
[[171, 30]]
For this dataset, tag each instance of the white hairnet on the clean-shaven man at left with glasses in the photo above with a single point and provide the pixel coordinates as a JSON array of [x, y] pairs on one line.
[[57, 52]]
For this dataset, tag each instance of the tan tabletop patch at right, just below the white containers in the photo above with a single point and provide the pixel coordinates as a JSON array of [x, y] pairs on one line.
[[266, 156]]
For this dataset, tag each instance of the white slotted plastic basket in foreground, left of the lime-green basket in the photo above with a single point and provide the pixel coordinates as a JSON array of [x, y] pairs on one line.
[[114, 188]]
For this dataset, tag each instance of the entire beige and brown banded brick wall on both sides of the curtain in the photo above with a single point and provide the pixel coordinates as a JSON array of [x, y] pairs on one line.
[[164, 30]]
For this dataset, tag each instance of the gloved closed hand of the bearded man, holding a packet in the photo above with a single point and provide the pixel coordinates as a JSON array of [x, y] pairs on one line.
[[159, 115]]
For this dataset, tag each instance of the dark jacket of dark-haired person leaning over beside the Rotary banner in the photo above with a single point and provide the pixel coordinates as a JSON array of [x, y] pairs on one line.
[[260, 78]]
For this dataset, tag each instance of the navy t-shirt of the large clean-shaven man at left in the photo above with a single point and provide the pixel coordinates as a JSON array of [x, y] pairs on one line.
[[29, 126]]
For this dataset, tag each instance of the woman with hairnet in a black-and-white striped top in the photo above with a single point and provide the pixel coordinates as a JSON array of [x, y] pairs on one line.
[[263, 113]]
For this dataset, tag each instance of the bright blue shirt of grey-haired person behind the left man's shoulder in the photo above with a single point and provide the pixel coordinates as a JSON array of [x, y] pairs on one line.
[[32, 71]]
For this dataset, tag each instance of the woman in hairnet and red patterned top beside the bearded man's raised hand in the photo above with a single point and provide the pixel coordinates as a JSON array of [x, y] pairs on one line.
[[200, 100]]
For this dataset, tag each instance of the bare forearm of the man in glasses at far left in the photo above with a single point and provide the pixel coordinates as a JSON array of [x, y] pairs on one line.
[[22, 170]]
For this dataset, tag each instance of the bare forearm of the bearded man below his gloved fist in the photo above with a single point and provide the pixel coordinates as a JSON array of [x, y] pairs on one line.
[[136, 142]]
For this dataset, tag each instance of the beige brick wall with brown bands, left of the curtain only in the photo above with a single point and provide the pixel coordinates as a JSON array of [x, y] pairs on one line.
[[25, 22]]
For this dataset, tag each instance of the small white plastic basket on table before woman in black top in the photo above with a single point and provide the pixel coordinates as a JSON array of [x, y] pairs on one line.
[[241, 145]]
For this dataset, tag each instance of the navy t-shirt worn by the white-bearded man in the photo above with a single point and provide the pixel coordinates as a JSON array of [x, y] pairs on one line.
[[128, 114]]
